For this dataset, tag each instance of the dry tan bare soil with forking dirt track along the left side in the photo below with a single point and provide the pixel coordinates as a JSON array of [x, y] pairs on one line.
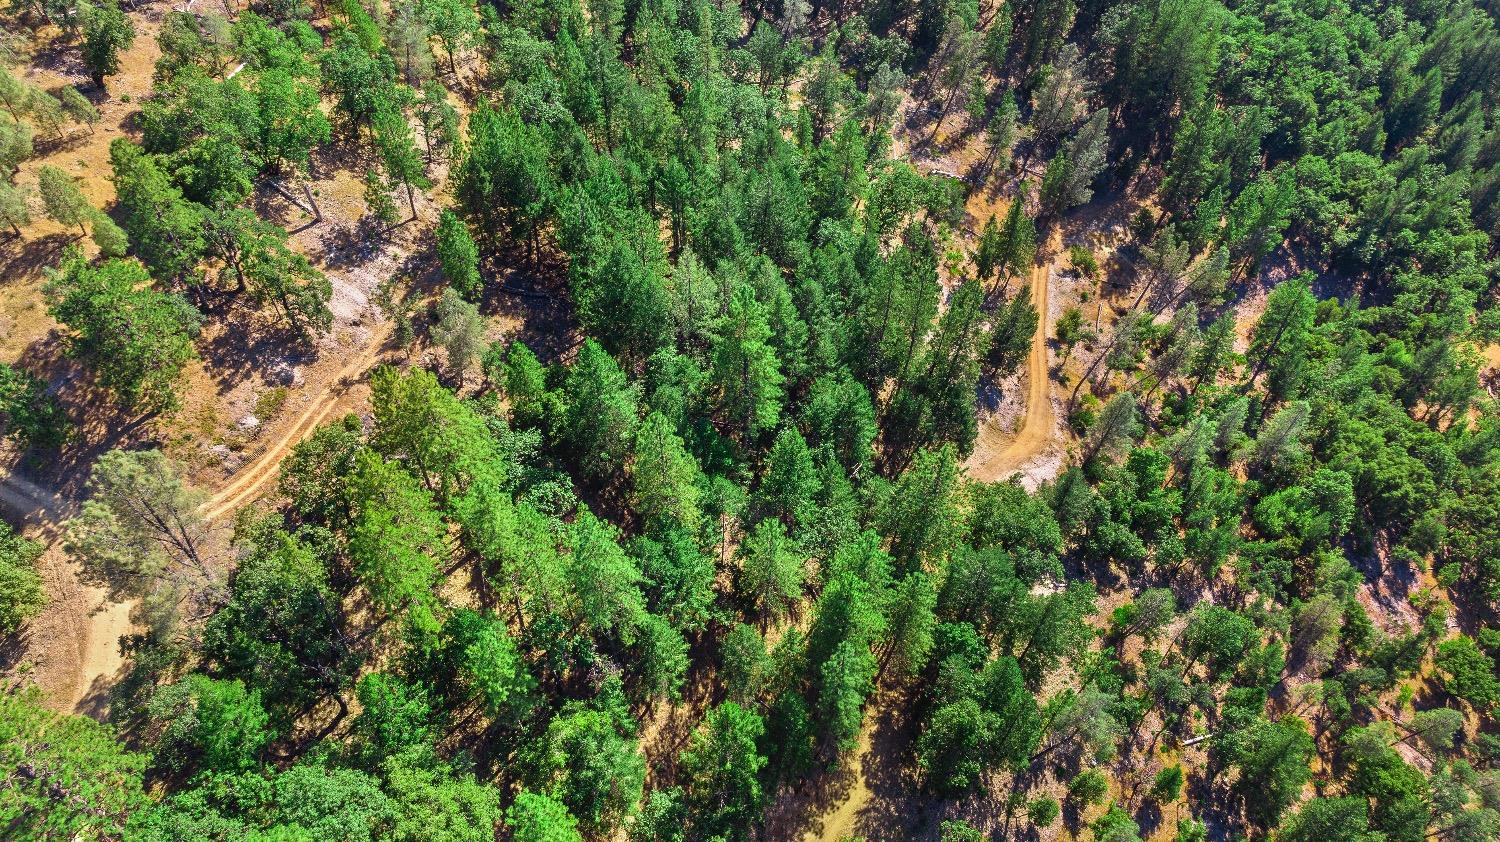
[[250, 365]]
